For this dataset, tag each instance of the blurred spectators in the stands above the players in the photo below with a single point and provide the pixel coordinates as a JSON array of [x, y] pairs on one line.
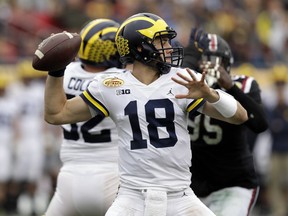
[[255, 29]]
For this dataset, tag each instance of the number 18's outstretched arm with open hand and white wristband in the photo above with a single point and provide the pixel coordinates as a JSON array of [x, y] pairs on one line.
[[219, 105]]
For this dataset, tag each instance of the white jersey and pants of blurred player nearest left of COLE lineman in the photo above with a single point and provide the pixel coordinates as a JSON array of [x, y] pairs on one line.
[[30, 148]]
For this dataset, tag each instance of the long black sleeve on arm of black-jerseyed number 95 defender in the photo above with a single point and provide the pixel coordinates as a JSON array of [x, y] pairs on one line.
[[257, 121]]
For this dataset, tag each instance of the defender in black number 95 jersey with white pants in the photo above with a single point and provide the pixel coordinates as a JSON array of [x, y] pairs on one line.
[[223, 173]]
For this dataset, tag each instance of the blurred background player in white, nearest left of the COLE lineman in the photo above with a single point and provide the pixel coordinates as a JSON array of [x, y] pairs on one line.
[[29, 155]]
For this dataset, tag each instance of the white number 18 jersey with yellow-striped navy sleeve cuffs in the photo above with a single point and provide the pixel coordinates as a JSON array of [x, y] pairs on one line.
[[152, 127]]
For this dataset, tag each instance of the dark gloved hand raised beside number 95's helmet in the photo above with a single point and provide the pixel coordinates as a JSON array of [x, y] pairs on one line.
[[199, 39]]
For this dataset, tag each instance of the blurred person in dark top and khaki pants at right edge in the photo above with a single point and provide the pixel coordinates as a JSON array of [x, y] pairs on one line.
[[277, 109]]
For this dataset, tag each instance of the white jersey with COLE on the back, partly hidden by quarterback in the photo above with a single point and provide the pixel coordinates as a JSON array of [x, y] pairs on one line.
[[94, 140]]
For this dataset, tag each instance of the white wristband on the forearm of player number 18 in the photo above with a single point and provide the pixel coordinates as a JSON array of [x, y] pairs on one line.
[[226, 105]]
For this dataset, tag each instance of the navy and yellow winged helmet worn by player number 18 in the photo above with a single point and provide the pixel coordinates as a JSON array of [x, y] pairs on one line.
[[135, 38]]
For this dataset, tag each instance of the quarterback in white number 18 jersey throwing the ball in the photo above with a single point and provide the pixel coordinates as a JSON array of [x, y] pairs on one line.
[[150, 106]]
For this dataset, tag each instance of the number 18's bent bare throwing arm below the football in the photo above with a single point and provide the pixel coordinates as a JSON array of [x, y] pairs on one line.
[[59, 110]]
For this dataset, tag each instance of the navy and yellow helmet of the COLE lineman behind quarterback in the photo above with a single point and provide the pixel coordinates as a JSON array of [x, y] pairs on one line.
[[98, 43]]
